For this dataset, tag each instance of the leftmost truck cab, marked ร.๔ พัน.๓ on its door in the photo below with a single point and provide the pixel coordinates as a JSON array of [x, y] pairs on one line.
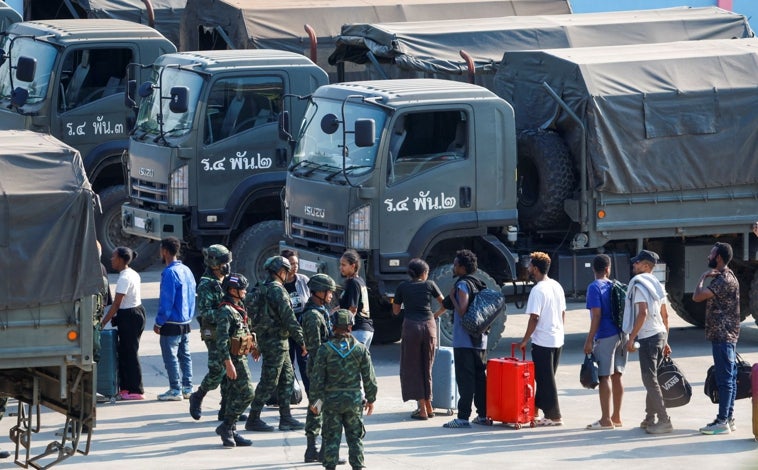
[[67, 78]]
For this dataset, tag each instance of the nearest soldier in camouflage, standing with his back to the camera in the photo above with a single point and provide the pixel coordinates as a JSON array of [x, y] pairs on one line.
[[342, 365]]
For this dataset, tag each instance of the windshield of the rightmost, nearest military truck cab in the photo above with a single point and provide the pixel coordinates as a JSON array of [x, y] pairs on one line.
[[317, 149]]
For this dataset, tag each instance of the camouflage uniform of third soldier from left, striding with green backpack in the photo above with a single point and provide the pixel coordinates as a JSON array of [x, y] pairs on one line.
[[278, 325]]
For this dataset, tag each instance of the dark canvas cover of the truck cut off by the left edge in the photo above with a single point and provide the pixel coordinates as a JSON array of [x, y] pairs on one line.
[[47, 230]]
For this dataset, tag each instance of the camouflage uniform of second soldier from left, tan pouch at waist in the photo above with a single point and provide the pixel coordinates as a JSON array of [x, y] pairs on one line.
[[231, 322]]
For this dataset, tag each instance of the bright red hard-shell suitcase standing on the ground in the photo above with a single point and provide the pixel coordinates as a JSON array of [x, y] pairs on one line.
[[510, 390]]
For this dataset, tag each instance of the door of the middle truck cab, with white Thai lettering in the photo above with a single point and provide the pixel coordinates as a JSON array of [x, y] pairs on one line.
[[239, 137]]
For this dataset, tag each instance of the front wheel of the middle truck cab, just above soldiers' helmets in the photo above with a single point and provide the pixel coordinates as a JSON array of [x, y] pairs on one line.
[[254, 246]]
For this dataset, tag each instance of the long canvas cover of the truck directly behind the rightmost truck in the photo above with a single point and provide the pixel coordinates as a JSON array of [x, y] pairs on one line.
[[433, 46]]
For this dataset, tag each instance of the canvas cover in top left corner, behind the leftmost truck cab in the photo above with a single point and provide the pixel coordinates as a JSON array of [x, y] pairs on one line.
[[165, 15]]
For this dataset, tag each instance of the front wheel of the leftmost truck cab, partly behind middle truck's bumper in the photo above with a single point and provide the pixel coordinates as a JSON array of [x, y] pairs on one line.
[[110, 234]]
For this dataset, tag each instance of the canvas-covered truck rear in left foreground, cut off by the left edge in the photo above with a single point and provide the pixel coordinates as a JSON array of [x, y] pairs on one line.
[[49, 280]]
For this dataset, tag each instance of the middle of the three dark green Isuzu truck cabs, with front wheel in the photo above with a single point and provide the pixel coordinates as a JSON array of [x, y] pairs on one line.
[[209, 167]]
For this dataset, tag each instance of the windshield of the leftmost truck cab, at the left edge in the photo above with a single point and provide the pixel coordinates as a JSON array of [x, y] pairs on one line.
[[45, 55]]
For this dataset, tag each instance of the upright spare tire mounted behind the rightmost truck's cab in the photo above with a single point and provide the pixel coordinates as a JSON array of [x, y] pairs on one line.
[[546, 179]]
